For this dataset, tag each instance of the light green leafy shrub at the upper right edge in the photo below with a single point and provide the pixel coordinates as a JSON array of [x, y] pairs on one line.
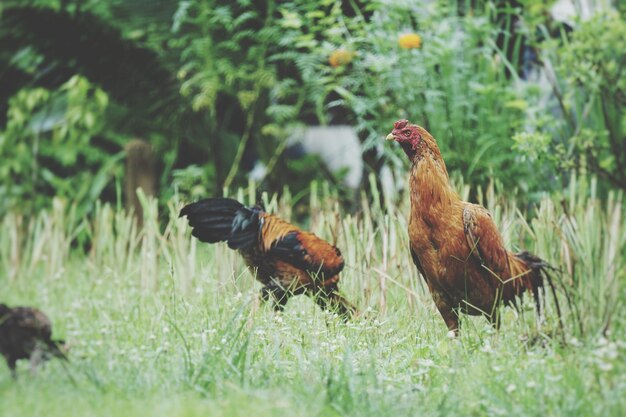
[[587, 128]]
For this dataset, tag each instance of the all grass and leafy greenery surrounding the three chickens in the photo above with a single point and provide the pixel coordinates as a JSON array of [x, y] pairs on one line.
[[529, 113]]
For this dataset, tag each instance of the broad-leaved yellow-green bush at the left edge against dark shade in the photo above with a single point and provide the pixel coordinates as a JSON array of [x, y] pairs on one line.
[[48, 135]]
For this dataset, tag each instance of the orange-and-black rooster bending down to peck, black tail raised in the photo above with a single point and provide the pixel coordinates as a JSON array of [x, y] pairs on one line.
[[285, 259]]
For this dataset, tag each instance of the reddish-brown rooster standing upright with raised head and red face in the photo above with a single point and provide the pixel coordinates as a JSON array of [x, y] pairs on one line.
[[455, 244]]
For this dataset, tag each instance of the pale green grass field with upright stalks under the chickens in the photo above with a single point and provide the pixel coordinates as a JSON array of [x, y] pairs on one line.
[[161, 325]]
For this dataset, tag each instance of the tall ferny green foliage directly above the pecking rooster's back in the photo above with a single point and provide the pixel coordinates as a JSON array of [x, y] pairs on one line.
[[224, 48]]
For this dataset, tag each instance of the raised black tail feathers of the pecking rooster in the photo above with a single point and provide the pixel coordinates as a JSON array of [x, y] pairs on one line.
[[223, 219]]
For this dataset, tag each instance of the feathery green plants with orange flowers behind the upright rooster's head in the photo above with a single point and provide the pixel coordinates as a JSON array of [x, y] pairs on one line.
[[453, 81]]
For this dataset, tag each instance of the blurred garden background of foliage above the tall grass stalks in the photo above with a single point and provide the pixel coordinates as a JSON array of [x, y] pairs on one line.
[[193, 97]]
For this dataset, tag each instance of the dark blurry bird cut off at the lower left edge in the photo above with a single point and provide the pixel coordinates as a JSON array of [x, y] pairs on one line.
[[25, 333]]
